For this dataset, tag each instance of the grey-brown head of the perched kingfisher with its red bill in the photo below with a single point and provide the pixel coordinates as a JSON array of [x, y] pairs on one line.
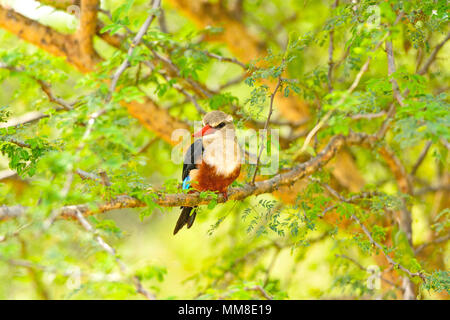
[[216, 124]]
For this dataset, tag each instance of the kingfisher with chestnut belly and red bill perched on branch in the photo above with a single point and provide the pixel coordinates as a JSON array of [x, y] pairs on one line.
[[212, 162]]
